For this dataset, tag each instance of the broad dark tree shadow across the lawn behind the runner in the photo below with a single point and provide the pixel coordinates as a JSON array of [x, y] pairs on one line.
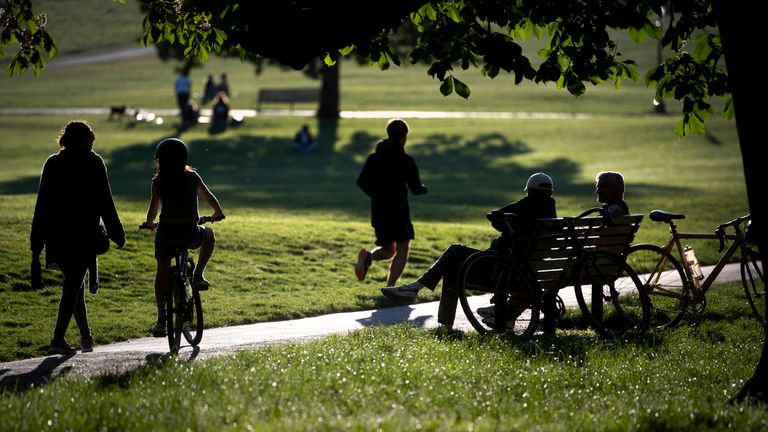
[[462, 173]]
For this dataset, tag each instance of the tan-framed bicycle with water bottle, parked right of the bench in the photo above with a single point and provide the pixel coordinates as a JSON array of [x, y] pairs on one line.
[[672, 276]]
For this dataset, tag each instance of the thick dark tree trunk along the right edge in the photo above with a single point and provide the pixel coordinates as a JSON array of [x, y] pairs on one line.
[[739, 27]]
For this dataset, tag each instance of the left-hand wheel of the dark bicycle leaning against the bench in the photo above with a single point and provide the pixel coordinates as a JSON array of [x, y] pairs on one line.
[[484, 275]]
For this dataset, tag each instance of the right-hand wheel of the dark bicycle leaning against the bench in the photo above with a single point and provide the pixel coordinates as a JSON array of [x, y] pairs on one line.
[[611, 296]]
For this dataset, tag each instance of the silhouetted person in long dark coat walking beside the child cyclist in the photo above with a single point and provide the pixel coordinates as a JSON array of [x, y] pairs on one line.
[[73, 197]]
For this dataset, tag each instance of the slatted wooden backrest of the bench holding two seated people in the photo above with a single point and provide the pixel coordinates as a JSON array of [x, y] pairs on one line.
[[551, 258]]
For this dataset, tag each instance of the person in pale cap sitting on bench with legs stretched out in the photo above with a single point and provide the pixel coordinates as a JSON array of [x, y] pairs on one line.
[[536, 204]]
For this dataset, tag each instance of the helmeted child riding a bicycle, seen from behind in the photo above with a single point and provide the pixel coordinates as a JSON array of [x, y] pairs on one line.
[[175, 189]]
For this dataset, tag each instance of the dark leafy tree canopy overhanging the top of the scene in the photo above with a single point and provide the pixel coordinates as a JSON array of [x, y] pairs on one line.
[[445, 35]]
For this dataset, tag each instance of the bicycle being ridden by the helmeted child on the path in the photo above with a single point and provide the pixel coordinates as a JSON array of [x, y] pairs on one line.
[[183, 308]]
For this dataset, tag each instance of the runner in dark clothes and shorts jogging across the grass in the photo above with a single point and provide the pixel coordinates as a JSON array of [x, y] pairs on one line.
[[387, 175]]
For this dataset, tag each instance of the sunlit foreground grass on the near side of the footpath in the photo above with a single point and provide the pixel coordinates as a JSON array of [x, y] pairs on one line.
[[396, 378]]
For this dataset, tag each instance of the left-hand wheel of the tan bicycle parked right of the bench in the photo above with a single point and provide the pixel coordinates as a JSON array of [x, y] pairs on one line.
[[663, 279]]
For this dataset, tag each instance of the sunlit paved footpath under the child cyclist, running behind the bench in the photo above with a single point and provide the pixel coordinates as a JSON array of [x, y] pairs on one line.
[[124, 357]]
